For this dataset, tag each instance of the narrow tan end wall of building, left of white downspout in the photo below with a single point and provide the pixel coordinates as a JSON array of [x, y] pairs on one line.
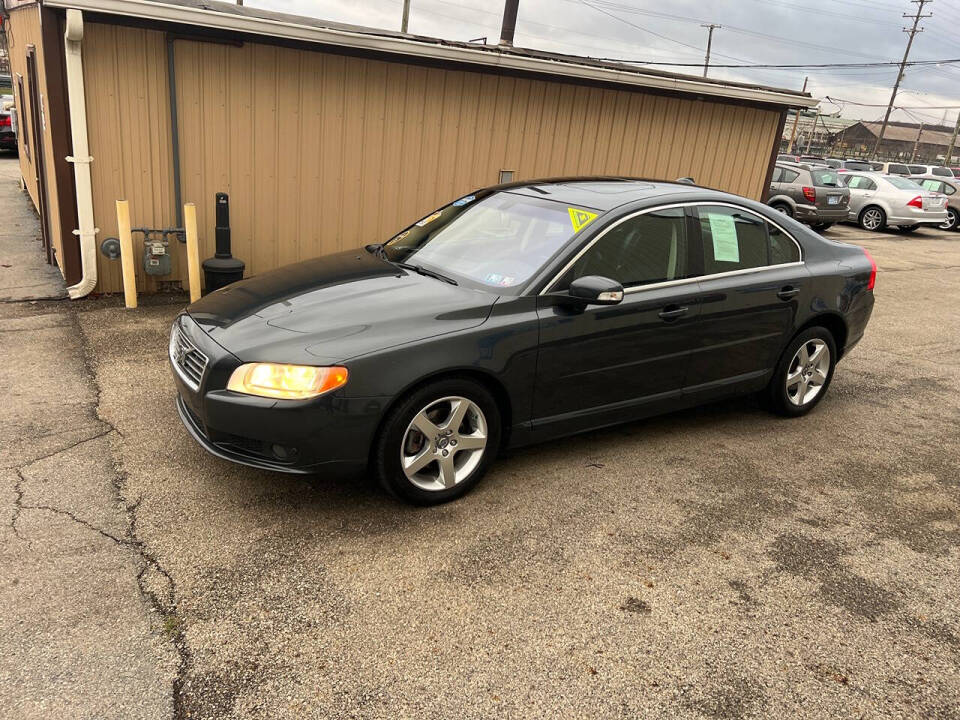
[[24, 30]]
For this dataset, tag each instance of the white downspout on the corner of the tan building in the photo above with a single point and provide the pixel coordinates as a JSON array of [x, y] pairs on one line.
[[81, 156]]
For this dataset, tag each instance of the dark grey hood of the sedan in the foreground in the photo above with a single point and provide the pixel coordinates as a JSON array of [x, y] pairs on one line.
[[333, 308]]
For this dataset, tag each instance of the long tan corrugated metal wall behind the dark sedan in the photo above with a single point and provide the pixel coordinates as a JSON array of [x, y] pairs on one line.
[[322, 152]]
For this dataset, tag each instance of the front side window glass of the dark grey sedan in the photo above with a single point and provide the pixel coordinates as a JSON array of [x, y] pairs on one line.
[[645, 249]]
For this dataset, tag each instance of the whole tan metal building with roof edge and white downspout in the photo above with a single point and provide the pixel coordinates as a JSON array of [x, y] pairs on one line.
[[329, 136]]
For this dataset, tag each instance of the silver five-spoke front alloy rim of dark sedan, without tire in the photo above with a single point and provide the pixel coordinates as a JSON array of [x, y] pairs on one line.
[[444, 443]]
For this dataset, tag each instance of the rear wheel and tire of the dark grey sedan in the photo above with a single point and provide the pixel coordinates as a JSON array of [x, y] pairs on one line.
[[803, 374]]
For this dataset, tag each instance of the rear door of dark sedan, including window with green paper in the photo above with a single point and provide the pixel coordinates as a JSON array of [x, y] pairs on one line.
[[752, 285]]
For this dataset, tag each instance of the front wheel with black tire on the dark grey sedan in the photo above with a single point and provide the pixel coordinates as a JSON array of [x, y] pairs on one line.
[[438, 442]]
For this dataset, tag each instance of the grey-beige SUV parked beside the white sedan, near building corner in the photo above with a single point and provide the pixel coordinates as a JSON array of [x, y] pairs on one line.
[[812, 195]]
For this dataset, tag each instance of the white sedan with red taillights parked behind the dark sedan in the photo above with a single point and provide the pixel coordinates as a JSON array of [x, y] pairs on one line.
[[878, 200]]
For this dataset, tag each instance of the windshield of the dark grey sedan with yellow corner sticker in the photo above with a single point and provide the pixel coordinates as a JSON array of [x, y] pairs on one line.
[[494, 242]]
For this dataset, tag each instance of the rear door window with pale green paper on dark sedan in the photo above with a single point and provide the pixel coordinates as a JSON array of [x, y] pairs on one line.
[[732, 239]]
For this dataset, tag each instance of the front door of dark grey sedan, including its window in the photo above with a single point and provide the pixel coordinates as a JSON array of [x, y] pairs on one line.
[[602, 364]]
